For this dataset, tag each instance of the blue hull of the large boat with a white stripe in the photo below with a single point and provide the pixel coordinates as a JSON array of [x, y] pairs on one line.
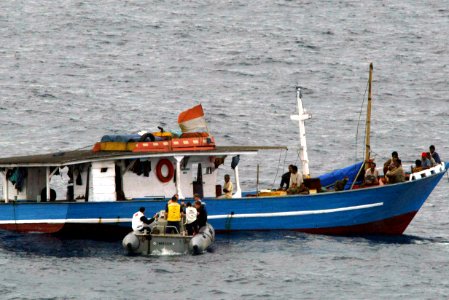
[[378, 210]]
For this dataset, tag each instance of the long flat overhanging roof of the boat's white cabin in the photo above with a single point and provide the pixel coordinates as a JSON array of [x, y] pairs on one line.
[[85, 156]]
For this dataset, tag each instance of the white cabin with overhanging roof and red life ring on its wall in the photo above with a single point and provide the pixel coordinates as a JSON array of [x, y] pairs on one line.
[[111, 176]]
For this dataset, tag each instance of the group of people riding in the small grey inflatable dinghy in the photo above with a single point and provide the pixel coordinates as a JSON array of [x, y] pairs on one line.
[[194, 216]]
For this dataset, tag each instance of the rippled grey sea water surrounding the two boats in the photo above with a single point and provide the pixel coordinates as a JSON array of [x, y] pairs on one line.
[[72, 71]]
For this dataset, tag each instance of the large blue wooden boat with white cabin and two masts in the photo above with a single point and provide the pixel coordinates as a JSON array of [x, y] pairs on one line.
[[110, 182]]
